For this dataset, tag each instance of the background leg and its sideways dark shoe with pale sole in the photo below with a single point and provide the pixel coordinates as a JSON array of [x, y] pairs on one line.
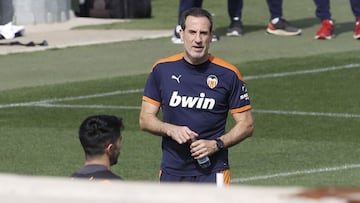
[[278, 25]]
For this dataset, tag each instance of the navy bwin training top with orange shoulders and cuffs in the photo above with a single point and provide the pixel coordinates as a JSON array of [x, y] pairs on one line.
[[197, 96]]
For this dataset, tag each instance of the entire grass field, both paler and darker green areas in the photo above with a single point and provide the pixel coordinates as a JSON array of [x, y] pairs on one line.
[[305, 95]]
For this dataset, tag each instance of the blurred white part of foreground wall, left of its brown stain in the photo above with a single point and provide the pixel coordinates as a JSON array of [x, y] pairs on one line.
[[30, 189]]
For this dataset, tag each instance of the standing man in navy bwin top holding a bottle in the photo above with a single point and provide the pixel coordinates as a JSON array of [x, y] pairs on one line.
[[195, 91]]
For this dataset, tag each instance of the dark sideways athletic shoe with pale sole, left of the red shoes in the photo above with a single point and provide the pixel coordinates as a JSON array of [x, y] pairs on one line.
[[280, 26]]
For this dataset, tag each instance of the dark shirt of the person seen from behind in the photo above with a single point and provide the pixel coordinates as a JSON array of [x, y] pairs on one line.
[[95, 172]]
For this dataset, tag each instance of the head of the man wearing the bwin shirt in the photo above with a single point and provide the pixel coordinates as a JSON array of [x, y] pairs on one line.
[[197, 38]]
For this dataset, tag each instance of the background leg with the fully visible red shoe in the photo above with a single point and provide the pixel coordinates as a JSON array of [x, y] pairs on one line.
[[322, 11]]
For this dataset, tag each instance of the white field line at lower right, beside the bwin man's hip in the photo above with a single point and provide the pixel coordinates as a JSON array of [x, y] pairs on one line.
[[294, 173]]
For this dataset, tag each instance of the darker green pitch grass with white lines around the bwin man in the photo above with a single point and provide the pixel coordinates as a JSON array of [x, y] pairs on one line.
[[43, 141]]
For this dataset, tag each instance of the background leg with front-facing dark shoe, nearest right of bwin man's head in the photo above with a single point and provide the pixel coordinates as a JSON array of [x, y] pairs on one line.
[[235, 13]]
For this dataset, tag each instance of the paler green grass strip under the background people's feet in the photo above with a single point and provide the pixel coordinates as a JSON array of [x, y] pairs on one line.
[[136, 57]]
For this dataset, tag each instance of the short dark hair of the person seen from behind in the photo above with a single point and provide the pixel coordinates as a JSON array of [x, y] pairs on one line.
[[98, 131]]
